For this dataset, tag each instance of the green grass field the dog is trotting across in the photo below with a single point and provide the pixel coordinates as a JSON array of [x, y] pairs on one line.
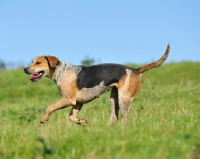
[[164, 120]]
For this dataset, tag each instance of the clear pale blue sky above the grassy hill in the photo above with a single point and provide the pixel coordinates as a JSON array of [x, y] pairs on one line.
[[108, 31]]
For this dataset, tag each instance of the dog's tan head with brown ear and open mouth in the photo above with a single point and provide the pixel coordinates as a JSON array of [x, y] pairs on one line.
[[42, 66]]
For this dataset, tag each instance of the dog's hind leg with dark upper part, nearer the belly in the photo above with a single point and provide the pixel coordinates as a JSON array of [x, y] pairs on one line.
[[114, 106]]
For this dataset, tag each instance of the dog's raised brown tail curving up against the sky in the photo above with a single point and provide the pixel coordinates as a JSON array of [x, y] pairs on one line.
[[155, 64]]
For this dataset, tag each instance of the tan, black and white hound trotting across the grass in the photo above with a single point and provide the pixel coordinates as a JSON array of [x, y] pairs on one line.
[[81, 84]]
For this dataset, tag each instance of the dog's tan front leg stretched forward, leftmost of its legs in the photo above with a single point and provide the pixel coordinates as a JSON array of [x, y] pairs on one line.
[[64, 102]]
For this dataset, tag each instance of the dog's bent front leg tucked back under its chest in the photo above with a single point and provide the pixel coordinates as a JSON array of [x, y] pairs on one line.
[[74, 115]]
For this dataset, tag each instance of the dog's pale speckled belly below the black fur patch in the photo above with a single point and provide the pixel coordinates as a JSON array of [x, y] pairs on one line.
[[87, 94]]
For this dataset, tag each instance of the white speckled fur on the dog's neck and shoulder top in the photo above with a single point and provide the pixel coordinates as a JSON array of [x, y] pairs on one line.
[[62, 68]]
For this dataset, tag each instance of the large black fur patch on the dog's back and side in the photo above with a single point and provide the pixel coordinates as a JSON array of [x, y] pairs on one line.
[[91, 76]]
